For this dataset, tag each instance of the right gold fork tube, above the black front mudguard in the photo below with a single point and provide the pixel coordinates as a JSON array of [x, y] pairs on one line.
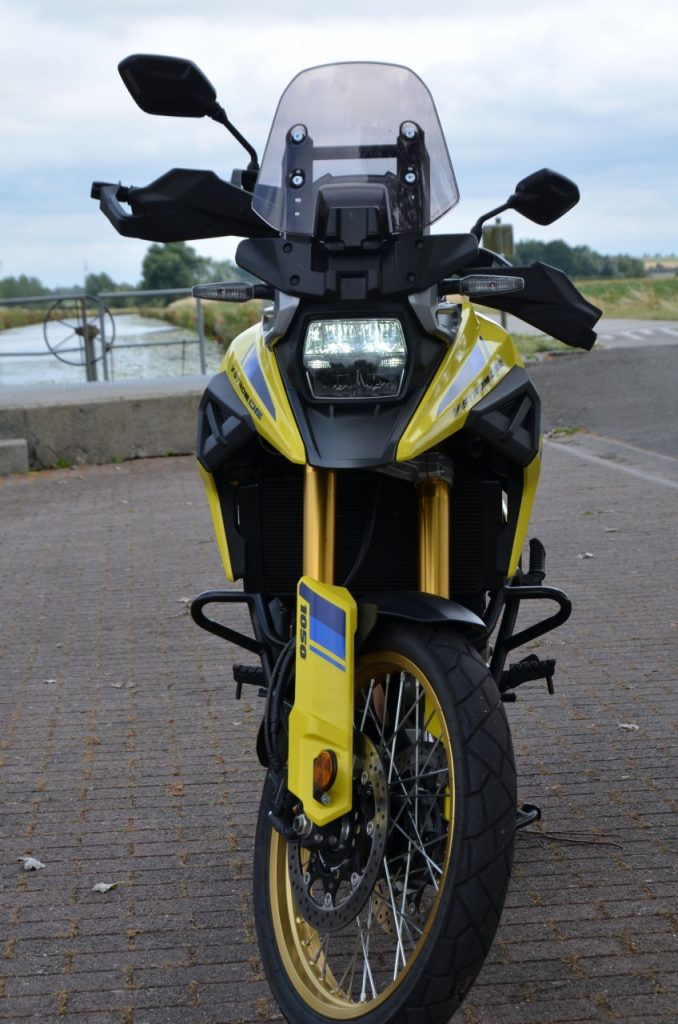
[[434, 500]]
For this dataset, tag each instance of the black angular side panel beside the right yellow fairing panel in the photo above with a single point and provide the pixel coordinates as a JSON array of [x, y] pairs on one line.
[[510, 418]]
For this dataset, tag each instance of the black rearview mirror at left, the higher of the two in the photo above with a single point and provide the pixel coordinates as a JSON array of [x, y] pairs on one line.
[[173, 87]]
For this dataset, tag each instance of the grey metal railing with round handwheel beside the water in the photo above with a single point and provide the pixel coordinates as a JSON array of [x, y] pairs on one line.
[[91, 342]]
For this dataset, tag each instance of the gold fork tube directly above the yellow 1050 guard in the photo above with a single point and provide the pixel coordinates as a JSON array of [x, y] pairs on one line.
[[320, 524]]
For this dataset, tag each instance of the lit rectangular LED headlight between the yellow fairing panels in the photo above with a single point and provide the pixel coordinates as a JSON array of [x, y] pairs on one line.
[[355, 359]]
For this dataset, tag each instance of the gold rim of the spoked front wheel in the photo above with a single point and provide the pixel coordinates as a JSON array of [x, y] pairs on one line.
[[307, 955]]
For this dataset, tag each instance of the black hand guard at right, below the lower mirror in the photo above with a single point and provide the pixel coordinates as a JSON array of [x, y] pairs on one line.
[[549, 302]]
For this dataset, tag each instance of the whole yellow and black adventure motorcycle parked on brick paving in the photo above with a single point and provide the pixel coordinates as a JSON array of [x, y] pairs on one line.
[[371, 453]]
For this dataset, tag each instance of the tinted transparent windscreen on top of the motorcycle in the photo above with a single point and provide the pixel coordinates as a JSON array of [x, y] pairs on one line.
[[356, 123]]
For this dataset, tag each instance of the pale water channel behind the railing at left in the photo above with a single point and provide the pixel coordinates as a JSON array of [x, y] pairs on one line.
[[144, 349]]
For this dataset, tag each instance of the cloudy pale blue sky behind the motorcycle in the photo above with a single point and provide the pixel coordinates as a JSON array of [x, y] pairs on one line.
[[588, 88]]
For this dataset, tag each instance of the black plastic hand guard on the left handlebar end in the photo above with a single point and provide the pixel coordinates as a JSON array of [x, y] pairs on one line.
[[181, 206]]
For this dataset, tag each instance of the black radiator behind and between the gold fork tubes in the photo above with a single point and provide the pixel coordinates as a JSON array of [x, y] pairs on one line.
[[272, 522]]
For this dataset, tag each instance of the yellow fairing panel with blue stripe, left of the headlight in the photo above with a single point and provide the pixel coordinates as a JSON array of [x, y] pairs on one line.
[[253, 371]]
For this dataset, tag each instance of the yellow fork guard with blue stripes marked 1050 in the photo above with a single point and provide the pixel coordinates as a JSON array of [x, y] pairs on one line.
[[323, 714]]
